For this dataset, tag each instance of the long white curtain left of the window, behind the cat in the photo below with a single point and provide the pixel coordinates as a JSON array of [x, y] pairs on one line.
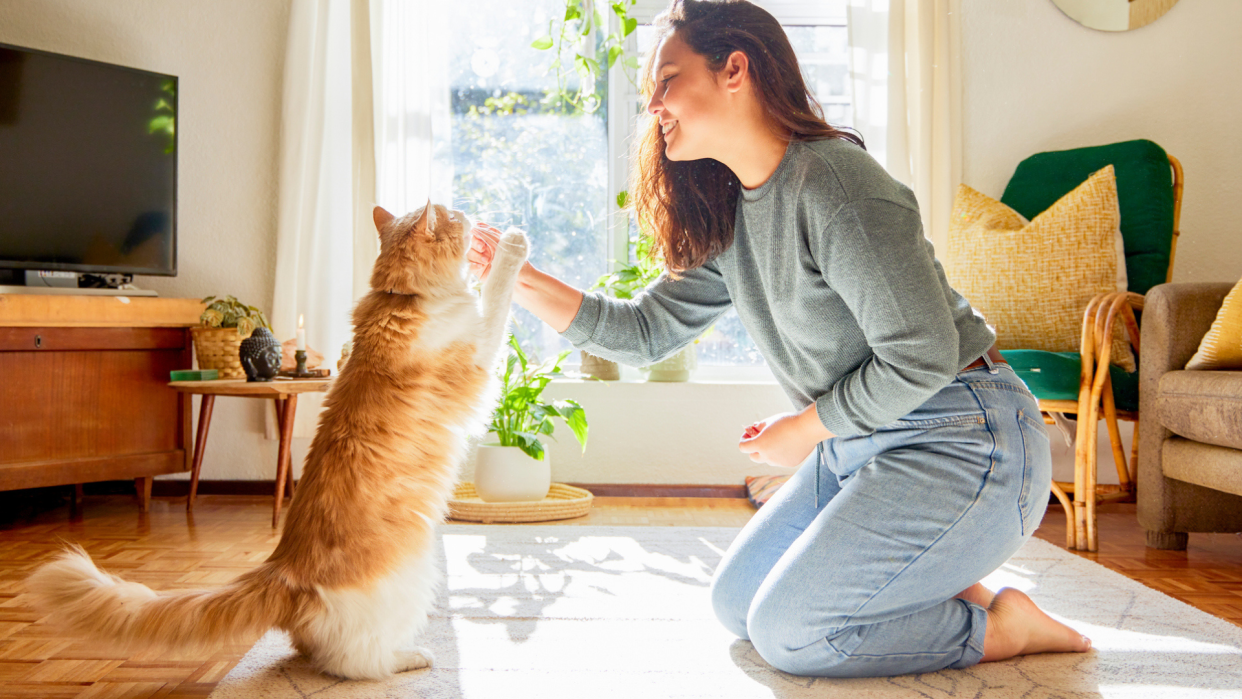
[[366, 106]]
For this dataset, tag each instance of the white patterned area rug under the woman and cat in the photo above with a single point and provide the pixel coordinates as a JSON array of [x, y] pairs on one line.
[[576, 611]]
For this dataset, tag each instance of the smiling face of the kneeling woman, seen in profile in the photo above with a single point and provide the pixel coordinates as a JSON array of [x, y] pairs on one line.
[[690, 101]]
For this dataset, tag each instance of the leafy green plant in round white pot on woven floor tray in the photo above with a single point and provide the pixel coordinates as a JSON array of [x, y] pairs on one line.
[[516, 466]]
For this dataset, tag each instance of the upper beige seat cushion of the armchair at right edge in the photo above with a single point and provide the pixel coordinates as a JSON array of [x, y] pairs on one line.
[[1204, 407]]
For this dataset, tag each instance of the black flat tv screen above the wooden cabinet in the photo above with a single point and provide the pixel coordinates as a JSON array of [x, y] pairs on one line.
[[88, 166]]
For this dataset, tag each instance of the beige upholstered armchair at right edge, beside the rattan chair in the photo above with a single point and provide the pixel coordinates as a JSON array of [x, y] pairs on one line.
[[1190, 423]]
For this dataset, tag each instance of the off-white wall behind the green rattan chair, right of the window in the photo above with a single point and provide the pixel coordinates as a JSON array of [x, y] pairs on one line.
[[1035, 80]]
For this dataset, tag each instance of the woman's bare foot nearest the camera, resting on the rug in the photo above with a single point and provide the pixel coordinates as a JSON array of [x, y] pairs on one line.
[[1018, 628]]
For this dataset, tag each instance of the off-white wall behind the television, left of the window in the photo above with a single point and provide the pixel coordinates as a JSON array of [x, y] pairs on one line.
[[229, 56]]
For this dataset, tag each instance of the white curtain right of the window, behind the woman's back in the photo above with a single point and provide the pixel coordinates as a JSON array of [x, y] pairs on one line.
[[907, 96]]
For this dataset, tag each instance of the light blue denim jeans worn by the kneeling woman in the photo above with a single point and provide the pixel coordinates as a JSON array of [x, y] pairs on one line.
[[851, 568]]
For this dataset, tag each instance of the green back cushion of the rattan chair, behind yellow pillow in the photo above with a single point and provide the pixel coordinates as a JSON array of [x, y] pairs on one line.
[[1145, 194]]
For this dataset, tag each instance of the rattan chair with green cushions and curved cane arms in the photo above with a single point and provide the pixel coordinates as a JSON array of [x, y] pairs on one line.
[[1084, 384]]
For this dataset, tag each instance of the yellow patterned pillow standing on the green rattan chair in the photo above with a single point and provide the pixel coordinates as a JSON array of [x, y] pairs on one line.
[[1033, 280]]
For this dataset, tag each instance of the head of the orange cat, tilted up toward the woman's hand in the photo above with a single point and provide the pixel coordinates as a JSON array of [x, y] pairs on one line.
[[422, 251]]
